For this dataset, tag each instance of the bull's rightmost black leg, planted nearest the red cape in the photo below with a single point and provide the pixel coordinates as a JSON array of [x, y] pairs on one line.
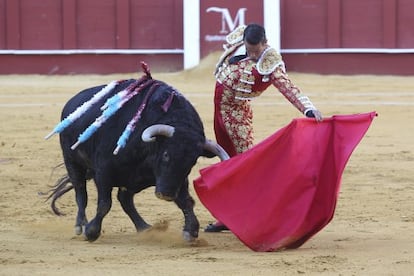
[[186, 203]]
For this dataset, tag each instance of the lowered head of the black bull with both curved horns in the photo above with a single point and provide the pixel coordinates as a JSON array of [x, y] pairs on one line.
[[173, 168]]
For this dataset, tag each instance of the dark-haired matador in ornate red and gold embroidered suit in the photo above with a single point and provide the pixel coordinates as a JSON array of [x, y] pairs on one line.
[[242, 76]]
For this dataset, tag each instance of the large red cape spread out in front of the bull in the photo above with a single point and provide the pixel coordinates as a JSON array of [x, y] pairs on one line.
[[284, 190]]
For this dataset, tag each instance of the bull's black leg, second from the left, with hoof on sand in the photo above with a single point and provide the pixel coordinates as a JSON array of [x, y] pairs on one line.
[[93, 228]]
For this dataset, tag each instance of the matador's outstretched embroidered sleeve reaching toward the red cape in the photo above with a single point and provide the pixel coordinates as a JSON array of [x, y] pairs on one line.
[[291, 92]]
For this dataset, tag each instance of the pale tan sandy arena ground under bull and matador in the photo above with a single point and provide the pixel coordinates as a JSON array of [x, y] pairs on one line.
[[371, 233]]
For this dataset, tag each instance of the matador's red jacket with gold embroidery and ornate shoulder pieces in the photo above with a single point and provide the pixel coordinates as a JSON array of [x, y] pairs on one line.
[[248, 78]]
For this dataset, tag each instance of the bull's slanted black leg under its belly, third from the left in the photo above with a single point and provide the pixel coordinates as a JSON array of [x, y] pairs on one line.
[[126, 198]]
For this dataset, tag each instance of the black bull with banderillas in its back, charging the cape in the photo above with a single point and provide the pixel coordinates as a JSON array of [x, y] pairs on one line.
[[165, 144]]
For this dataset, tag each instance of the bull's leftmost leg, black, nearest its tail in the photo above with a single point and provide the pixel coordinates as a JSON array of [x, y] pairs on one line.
[[77, 177]]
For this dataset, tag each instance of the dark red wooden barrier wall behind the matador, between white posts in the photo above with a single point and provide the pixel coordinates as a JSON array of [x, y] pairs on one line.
[[158, 24]]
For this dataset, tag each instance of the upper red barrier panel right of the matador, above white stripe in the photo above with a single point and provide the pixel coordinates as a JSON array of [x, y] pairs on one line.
[[347, 24]]
